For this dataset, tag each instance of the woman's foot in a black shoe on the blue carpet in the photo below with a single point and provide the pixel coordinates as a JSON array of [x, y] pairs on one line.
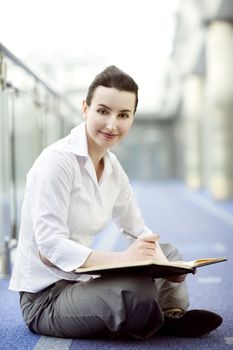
[[190, 324]]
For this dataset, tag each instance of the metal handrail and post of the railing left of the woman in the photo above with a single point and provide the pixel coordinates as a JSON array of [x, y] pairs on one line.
[[9, 238]]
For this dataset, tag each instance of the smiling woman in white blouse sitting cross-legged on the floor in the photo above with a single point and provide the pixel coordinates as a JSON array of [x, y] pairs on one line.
[[73, 189]]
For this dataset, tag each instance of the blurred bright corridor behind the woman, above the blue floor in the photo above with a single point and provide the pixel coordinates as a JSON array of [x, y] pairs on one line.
[[180, 52]]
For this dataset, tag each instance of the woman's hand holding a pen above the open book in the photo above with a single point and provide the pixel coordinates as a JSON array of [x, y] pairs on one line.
[[144, 247]]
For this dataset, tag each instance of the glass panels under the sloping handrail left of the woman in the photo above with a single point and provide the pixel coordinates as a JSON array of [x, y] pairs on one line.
[[32, 116]]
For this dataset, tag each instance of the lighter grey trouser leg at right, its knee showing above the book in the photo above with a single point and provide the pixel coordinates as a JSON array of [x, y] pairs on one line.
[[170, 294]]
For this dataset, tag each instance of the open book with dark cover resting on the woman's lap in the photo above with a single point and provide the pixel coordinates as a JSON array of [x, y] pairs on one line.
[[149, 268]]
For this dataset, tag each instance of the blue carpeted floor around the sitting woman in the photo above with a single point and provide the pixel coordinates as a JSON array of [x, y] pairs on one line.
[[199, 228]]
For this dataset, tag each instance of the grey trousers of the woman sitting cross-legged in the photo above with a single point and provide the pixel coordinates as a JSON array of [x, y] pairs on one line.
[[105, 306]]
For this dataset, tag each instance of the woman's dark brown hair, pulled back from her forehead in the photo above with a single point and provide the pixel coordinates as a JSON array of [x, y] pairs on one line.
[[113, 77]]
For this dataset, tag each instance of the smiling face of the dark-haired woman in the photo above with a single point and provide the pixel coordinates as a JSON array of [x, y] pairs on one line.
[[109, 117]]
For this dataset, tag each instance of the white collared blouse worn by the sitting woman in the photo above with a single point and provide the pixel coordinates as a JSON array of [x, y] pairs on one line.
[[65, 207]]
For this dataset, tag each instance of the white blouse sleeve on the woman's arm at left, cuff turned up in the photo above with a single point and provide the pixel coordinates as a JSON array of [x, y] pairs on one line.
[[50, 190]]
